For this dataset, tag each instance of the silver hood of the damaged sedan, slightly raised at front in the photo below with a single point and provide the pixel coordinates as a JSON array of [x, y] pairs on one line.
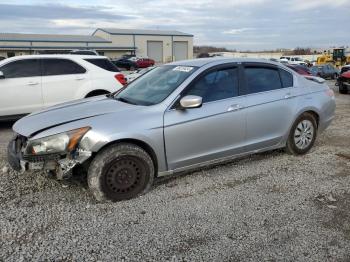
[[68, 112]]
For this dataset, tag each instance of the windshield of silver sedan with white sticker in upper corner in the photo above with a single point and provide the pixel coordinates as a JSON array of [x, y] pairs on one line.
[[156, 85]]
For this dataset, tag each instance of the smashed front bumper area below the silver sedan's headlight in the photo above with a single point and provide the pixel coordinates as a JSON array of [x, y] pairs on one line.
[[59, 164]]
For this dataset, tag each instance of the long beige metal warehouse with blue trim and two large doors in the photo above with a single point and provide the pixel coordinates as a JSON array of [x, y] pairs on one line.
[[160, 45]]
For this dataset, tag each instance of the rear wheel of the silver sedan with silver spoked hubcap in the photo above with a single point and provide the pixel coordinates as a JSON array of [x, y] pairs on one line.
[[292, 146]]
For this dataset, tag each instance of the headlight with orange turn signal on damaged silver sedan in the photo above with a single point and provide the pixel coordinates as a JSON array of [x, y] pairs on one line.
[[60, 143]]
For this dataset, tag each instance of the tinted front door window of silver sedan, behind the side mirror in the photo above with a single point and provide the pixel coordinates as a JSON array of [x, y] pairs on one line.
[[216, 85]]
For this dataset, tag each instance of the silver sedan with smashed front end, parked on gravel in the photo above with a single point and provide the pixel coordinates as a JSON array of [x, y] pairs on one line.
[[177, 117]]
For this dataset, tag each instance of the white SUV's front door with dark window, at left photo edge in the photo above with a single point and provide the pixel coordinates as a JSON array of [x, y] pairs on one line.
[[20, 90]]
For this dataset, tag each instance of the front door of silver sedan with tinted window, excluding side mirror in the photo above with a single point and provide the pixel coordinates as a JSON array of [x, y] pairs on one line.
[[213, 131]]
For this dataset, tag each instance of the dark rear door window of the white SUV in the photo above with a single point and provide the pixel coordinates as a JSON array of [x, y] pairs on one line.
[[56, 66]]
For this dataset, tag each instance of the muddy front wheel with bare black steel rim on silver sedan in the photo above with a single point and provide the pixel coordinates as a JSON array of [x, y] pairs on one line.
[[120, 172]]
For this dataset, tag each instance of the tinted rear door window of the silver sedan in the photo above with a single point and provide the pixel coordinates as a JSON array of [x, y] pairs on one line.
[[261, 79]]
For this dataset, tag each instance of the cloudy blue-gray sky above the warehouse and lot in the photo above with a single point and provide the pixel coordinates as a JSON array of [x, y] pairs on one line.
[[238, 24]]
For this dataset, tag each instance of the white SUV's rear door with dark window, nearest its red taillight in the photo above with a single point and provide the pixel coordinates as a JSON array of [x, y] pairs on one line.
[[62, 79]]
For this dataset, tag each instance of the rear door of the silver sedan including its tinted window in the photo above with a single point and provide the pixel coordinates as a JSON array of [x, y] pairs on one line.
[[271, 104]]
